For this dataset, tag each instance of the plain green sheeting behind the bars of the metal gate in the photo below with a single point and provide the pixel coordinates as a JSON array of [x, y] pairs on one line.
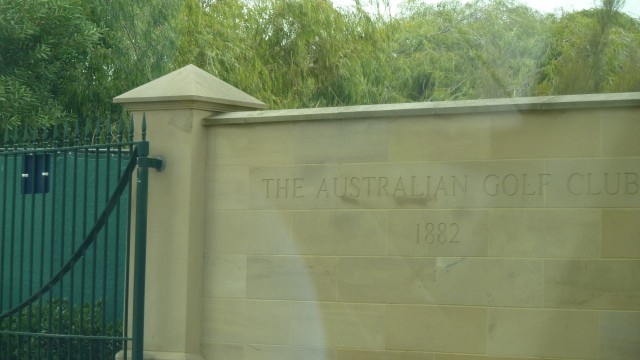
[[34, 212]]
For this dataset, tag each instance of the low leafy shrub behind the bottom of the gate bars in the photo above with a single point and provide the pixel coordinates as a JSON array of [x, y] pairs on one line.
[[60, 318]]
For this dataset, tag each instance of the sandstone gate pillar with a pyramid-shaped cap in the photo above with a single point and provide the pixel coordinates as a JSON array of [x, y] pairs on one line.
[[175, 105]]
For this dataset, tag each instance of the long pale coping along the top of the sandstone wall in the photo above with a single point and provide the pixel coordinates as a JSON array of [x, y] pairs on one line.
[[563, 102]]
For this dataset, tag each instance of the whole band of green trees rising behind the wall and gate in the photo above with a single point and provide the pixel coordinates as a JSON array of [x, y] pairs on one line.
[[64, 60]]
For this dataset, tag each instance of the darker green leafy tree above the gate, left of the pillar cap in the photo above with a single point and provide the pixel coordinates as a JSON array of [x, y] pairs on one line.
[[64, 60]]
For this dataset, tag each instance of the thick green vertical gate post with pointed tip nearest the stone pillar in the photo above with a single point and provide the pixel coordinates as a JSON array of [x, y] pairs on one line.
[[140, 246]]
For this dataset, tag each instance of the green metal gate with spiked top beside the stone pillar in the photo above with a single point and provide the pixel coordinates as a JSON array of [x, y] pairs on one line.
[[65, 244]]
